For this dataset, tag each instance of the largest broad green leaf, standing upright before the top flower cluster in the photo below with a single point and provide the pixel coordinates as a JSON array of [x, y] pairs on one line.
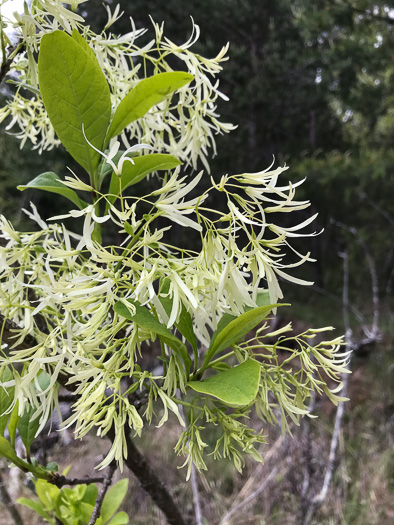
[[75, 93]]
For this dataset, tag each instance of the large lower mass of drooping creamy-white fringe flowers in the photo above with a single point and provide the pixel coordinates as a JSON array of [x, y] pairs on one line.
[[61, 289]]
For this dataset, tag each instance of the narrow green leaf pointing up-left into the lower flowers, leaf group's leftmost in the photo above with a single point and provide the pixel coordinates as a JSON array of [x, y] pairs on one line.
[[146, 320]]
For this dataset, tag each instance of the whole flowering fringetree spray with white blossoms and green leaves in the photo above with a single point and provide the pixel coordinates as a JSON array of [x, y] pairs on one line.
[[75, 309]]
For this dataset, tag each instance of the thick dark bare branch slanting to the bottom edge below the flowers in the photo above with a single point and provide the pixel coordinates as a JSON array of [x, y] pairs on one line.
[[140, 467]]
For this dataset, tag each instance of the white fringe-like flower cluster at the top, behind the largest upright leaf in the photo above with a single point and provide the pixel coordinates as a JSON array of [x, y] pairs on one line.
[[184, 126]]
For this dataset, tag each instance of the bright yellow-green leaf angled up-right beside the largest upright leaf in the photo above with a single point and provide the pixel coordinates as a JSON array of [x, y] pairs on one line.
[[147, 93]]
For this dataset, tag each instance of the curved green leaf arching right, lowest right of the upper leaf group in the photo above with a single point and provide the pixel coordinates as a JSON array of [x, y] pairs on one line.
[[133, 173]]
